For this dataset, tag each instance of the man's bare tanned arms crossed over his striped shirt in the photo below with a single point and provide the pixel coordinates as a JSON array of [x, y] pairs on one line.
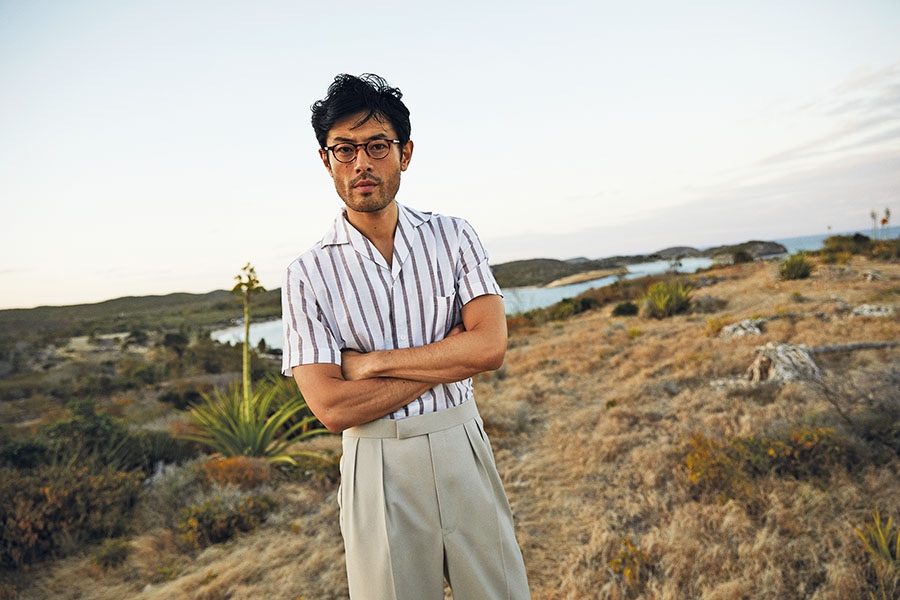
[[368, 386]]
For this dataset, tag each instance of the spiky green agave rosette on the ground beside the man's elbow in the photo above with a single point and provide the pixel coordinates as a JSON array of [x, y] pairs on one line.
[[266, 425]]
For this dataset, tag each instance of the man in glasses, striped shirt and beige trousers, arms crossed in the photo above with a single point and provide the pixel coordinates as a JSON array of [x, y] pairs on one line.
[[386, 319]]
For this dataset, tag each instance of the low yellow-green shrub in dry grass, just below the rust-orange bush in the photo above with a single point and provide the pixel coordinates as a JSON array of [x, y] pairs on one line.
[[217, 520]]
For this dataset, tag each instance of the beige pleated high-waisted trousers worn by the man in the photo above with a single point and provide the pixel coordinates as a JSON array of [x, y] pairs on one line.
[[421, 500]]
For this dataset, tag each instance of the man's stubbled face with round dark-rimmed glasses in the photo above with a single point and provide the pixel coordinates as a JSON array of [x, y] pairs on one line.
[[366, 185]]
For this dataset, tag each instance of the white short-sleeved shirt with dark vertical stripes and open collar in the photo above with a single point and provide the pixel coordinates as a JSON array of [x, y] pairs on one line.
[[341, 294]]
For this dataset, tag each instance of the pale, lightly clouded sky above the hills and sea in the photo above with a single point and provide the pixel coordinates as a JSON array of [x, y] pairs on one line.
[[156, 147]]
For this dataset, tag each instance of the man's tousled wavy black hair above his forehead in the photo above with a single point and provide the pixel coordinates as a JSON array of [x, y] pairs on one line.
[[369, 94]]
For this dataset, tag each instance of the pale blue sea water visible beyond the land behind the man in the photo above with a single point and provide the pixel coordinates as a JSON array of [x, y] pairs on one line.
[[528, 298]]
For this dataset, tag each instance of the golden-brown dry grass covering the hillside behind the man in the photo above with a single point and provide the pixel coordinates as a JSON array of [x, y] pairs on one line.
[[588, 419]]
